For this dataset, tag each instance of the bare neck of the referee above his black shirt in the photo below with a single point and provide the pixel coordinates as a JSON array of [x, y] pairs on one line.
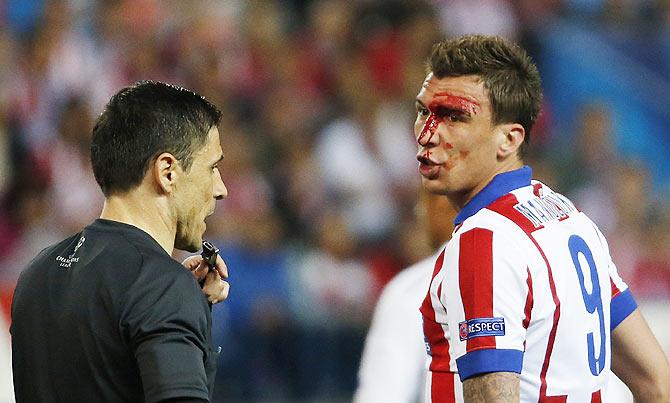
[[144, 212]]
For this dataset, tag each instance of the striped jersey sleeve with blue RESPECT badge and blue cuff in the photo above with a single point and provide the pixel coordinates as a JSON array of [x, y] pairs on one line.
[[494, 288]]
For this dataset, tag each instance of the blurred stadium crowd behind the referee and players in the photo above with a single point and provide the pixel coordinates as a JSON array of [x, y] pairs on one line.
[[317, 98]]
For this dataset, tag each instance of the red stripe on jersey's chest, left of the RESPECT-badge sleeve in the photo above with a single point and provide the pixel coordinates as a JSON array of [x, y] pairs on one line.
[[433, 331]]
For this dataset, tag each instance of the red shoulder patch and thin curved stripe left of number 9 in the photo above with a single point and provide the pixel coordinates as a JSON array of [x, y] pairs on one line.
[[505, 207]]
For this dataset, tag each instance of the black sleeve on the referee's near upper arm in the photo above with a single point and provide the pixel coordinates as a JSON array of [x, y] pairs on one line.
[[166, 324]]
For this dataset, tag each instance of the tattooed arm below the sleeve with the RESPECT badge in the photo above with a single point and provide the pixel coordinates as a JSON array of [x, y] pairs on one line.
[[496, 387]]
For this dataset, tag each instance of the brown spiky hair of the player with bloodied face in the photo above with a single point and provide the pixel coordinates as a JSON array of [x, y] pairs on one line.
[[507, 71]]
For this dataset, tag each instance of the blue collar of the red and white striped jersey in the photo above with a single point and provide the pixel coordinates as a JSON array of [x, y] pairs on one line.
[[499, 186]]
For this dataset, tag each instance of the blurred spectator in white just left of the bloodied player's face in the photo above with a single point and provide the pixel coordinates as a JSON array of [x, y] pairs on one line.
[[366, 155]]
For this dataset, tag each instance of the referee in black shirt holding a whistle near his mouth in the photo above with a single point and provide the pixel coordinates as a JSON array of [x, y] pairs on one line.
[[107, 315]]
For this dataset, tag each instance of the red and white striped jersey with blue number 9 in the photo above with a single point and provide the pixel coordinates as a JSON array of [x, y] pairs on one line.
[[525, 285]]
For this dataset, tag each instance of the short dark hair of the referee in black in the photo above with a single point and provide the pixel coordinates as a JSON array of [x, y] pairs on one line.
[[141, 122]]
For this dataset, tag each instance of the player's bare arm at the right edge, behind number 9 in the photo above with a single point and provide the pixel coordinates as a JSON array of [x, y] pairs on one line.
[[639, 360]]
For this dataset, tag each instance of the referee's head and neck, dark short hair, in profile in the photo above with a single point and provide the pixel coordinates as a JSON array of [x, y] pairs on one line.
[[155, 153]]
